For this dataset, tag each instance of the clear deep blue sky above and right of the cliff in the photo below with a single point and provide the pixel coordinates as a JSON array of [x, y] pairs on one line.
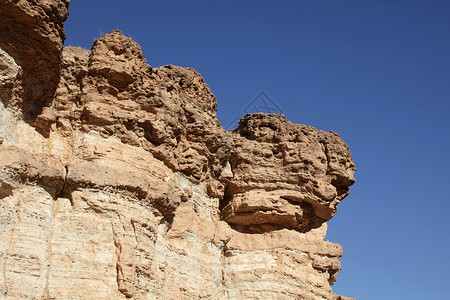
[[377, 72]]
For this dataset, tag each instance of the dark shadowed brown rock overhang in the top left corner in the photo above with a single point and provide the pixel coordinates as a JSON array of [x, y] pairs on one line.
[[32, 33]]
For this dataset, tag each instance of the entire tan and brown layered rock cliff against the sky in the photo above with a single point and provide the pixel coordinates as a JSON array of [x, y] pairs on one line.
[[117, 180]]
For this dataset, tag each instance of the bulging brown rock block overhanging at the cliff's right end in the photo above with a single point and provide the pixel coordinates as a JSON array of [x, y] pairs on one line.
[[285, 175]]
